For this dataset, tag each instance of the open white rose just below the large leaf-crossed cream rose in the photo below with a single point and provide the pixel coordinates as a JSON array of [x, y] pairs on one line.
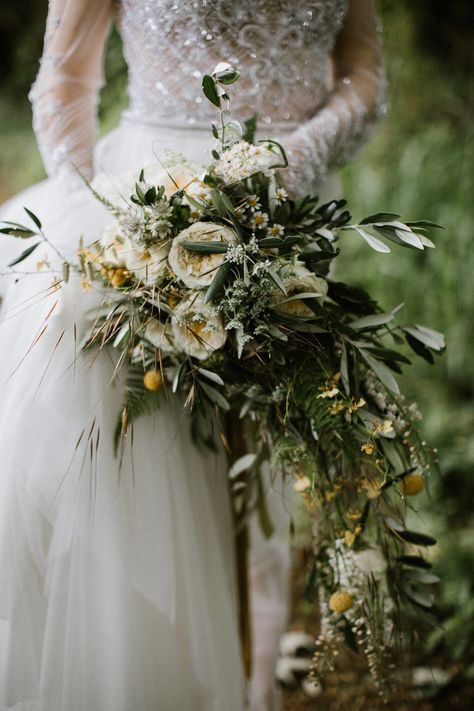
[[196, 329]]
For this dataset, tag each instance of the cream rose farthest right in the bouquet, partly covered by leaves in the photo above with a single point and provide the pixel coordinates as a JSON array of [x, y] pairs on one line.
[[298, 280]]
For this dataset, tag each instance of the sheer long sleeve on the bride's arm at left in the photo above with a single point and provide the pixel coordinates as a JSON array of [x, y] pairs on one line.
[[64, 95]]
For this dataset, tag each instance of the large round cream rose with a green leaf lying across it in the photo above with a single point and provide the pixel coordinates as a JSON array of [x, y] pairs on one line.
[[195, 269]]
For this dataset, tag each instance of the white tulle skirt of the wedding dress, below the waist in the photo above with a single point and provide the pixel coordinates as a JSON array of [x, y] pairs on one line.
[[117, 582]]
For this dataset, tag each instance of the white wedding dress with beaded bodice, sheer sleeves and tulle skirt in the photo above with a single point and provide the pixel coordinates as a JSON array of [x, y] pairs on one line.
[[118, 588]]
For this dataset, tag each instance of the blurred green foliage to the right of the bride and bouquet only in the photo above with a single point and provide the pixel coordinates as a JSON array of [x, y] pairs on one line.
[[419, 163]]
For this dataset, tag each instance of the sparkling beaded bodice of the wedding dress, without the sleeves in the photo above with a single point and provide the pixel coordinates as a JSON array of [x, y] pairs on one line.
[[284, 55]]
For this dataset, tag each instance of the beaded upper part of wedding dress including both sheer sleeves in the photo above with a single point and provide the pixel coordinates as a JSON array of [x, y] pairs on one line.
[[312, 65]]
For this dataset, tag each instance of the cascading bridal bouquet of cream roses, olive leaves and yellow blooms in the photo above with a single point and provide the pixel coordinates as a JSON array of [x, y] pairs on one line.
[[217, 288]]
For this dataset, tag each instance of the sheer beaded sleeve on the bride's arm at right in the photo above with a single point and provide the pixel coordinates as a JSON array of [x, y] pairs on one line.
[[332, 136]]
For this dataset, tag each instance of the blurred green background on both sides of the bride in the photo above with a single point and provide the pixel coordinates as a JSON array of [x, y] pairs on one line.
[[420, 165]]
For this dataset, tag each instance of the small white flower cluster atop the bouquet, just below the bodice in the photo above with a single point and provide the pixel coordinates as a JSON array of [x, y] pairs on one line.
[[243, 159]]
